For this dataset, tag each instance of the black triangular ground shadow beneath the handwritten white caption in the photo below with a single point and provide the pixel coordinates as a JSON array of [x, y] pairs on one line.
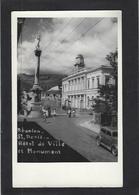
[[36, 145]]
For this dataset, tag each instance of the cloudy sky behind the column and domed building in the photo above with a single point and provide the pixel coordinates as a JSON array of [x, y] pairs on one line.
[[62, 39]]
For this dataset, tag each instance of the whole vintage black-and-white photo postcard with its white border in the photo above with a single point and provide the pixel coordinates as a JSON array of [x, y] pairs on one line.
[[67, 99]]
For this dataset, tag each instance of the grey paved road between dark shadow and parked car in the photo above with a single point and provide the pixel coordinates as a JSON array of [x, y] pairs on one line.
[[79, 138]]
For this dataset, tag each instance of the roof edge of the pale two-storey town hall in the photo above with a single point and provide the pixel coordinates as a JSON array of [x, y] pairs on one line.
[[87, 70]]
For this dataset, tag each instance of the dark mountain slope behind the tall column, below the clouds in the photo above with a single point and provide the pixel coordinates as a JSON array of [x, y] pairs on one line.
[[46, 81]]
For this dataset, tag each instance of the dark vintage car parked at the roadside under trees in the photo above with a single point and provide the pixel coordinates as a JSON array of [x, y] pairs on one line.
[[108, 138]]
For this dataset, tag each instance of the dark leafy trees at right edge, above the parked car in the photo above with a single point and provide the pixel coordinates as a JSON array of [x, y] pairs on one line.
[[106, 103]]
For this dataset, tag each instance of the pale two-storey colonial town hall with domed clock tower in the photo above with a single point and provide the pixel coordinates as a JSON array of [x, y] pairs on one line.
[[81, 87]]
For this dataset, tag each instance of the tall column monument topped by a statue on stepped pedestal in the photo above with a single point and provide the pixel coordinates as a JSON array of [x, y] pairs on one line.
[[36, 89]]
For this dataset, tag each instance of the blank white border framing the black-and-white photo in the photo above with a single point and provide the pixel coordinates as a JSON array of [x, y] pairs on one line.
[[91, 174]]
